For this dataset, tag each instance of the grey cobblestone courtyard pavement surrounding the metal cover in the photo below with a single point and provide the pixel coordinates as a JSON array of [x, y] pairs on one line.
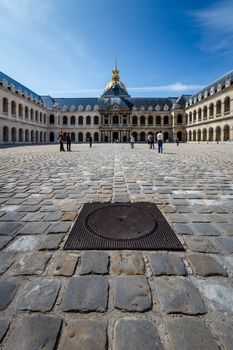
[[120, 300]]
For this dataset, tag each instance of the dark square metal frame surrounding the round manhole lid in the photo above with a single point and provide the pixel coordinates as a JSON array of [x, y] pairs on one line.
[[162, 238]]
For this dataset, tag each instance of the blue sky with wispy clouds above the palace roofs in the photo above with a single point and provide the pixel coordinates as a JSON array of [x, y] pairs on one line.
[[163, 47]]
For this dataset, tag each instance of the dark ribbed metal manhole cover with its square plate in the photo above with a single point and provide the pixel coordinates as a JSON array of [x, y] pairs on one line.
[[137, 226]]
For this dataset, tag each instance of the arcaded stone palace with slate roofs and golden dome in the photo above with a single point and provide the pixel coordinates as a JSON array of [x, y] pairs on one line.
[[26, 117]]
